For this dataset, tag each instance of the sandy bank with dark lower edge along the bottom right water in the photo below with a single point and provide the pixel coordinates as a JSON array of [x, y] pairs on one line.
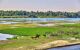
[[56, 44]]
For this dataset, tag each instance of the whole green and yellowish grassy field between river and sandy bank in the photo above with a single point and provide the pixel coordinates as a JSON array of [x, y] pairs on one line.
[[24, 33]]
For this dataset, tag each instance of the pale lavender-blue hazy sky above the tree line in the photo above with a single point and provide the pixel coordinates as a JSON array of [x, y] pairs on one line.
[[41, 5]]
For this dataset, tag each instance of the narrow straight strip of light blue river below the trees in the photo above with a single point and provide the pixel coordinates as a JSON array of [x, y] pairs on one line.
[[39, 19]]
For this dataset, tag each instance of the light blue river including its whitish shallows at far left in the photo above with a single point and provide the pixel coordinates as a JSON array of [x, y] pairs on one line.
[[18, 20]]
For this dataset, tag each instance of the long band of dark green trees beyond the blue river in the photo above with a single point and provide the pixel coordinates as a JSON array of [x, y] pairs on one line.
[[32, 14]]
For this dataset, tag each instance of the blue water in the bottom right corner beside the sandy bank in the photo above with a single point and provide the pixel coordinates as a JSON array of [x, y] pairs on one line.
[[75, 47]]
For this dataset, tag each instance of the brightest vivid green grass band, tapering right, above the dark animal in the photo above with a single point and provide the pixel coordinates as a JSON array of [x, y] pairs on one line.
[[29, 31]]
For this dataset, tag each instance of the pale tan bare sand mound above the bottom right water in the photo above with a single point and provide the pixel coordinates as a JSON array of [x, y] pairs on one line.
[[53, 43]]
